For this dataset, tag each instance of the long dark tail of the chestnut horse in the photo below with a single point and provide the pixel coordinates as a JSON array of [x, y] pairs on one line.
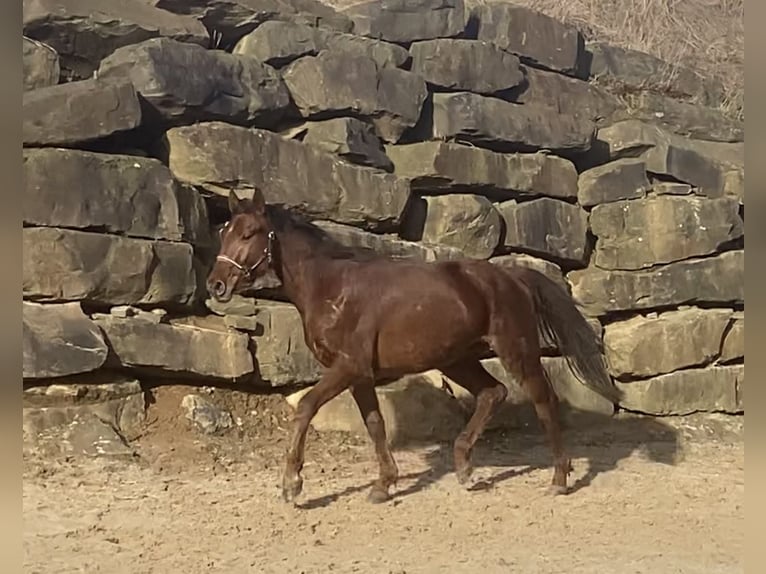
[[563, 323]]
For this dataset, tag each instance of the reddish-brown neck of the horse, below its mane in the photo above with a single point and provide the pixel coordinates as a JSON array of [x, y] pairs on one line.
[[297, 266]]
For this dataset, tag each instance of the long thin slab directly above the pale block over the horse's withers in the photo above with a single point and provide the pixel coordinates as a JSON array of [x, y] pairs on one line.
[[278, 43]]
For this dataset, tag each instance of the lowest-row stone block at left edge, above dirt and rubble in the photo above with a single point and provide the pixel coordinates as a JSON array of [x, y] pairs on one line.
[[59, 340]]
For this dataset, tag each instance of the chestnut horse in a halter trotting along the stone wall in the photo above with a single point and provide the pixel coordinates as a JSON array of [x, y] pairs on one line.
[[370, 320]]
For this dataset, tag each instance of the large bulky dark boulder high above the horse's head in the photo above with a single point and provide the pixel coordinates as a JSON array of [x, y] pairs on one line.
[[216, 85]]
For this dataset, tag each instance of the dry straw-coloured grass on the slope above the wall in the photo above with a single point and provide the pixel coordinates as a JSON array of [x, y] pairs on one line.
[[707, 36]]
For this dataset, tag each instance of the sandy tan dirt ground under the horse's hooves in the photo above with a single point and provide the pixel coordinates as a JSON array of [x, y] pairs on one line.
[[649, 496]]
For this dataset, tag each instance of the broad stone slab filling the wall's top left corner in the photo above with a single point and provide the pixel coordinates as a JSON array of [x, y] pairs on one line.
[[83, 32]]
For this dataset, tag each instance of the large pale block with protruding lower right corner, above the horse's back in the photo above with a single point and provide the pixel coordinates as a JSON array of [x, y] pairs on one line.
[[333, 84]]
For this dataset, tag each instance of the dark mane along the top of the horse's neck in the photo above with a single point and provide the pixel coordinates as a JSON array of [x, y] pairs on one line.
[[289, 220]]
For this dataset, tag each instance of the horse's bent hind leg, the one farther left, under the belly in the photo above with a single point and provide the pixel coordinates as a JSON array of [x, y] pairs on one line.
[[489, 393]]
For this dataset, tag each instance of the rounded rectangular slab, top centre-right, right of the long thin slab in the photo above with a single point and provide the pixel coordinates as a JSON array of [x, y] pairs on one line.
[[465, 65]]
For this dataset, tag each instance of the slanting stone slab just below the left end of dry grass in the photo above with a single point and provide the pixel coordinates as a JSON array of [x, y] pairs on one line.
[[566, 95]]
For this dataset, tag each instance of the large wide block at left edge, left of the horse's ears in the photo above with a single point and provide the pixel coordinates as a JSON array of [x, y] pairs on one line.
[[126, 195]]
